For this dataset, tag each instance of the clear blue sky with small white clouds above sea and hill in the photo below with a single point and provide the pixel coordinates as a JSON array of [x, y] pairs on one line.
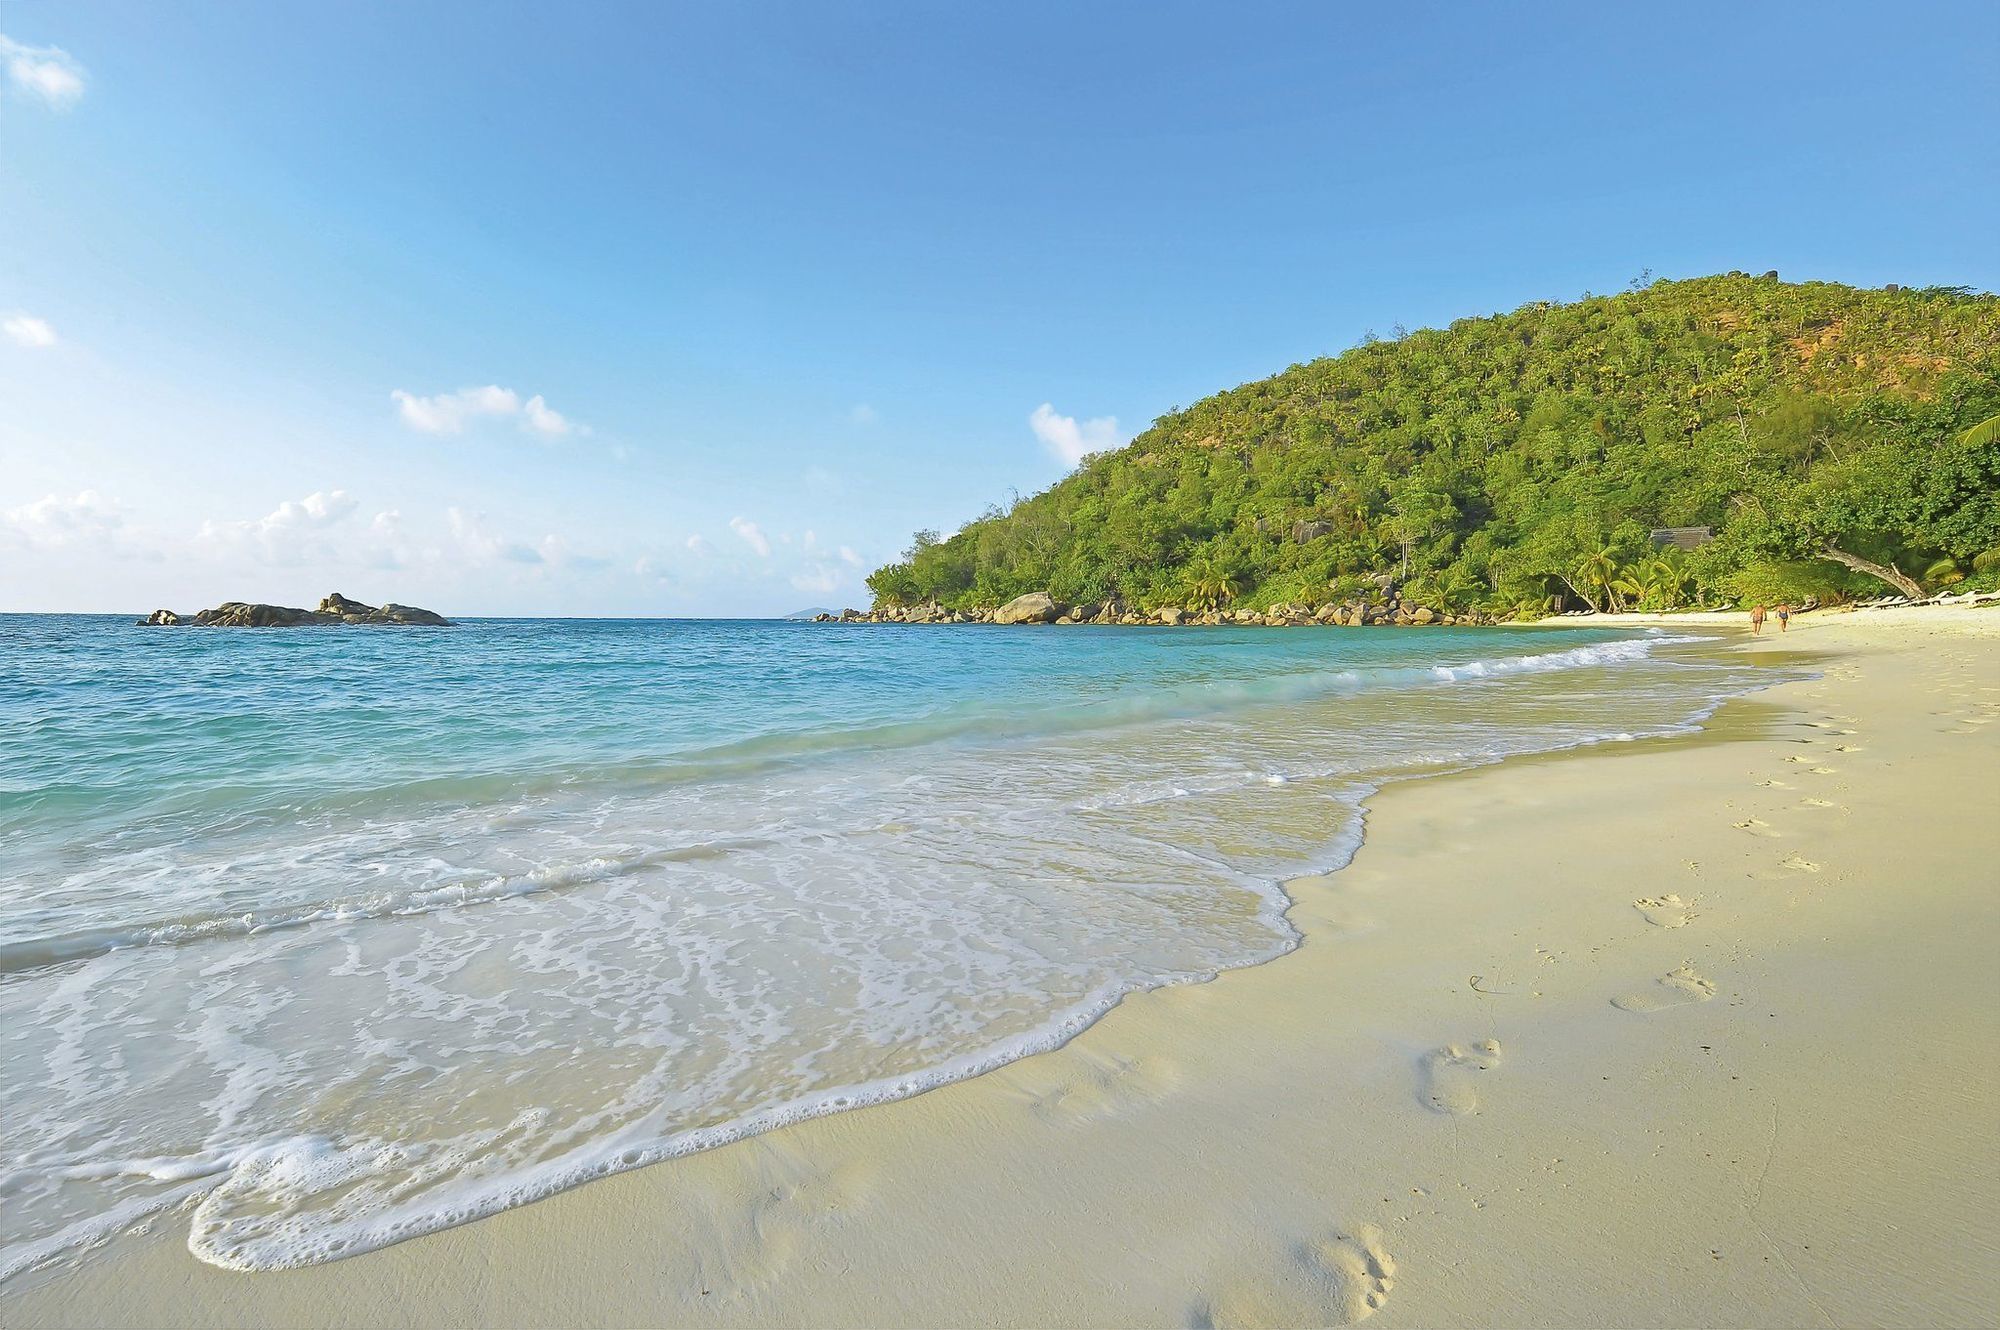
[[705, 309]]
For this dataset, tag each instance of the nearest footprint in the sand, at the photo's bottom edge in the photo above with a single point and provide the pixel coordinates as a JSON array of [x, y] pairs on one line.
[[1331, 1281]]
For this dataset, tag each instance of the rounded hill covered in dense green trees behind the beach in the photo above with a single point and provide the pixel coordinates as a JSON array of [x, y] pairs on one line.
[[1519, 463]]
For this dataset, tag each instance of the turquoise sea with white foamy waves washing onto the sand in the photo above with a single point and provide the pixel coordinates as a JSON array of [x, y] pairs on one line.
[[313, 941]]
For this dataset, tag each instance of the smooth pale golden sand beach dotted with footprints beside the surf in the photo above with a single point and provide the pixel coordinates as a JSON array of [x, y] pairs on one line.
[[1173, 1163]]
